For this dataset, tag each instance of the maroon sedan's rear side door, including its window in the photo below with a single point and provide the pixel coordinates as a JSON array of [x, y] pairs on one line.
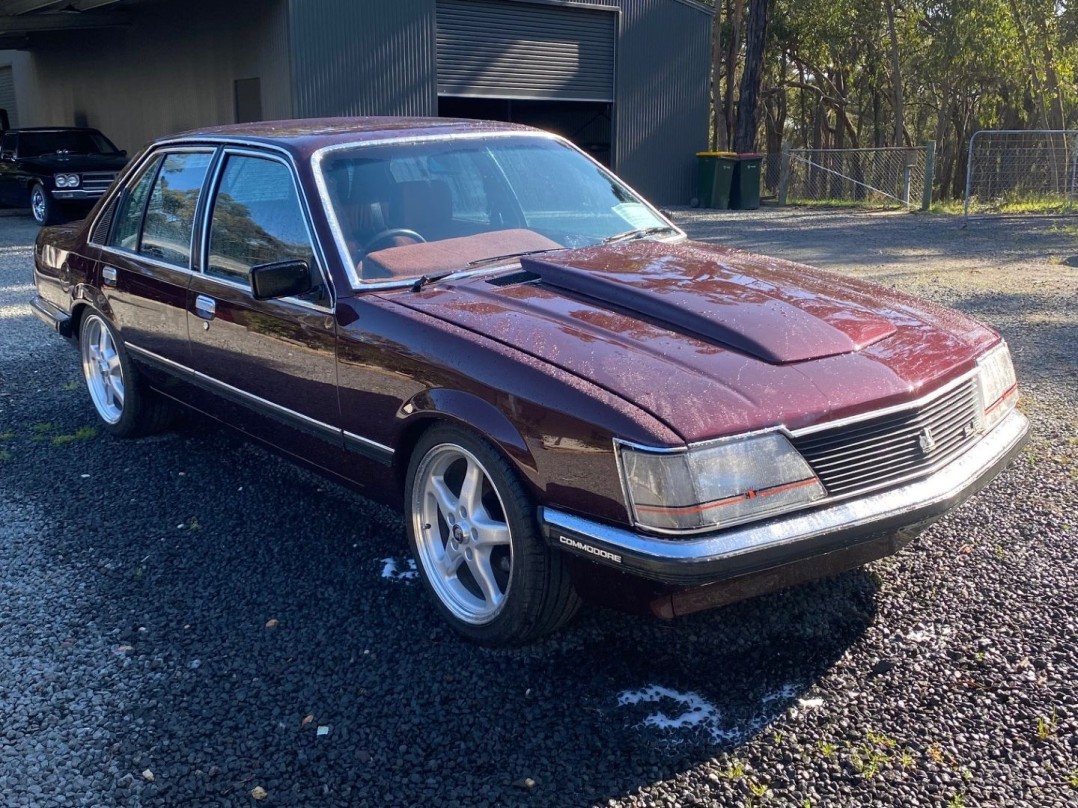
[[146, 262]]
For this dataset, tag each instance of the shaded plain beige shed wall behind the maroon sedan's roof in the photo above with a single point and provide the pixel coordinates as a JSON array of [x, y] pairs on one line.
[[167, 73]]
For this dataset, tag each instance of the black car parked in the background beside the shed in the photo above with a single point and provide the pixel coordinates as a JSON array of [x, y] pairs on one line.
[[59, 172]]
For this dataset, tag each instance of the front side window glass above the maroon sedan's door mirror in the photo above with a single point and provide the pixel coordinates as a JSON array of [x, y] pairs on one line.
[[257, 219]]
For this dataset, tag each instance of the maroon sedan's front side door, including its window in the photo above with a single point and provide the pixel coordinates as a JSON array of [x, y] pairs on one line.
[[278, 358]]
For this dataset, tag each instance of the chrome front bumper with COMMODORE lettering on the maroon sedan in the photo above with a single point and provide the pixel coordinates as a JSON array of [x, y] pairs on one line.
[[886, 520]]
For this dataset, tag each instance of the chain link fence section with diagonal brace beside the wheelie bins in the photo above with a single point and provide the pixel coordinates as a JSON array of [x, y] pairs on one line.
[[879, 178]]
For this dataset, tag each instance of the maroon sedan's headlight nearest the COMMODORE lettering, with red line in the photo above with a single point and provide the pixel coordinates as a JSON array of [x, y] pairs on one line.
[[716, 485]]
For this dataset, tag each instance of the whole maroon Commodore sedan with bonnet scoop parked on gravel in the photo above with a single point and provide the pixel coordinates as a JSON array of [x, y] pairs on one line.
[[480, 323]]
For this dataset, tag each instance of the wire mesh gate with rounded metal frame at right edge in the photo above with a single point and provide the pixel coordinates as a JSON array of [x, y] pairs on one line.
[[1022, 172]]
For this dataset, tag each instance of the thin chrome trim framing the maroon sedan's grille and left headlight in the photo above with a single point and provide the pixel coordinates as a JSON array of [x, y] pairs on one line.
[[791, 435]]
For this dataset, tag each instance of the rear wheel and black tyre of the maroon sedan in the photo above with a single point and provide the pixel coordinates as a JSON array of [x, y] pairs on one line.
[[126, 407]]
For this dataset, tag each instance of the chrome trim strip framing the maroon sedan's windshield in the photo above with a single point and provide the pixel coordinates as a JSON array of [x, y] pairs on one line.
[[357, 283]]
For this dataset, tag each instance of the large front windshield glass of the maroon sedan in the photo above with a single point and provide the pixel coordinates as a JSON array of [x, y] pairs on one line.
[[422, 208]]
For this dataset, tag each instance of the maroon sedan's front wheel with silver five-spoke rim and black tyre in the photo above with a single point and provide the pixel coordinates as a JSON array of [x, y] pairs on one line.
[[474, 533]]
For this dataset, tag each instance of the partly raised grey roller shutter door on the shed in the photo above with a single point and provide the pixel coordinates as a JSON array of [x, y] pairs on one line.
[[494, 49]]
